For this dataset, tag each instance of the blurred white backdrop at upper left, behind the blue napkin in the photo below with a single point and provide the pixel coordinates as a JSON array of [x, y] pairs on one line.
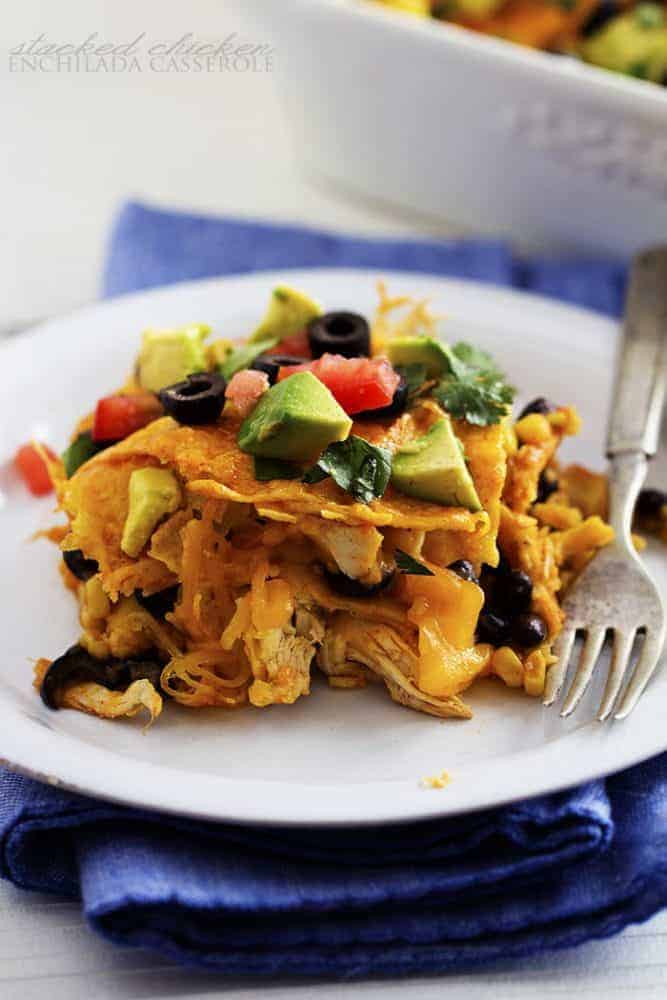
[[74, 145]]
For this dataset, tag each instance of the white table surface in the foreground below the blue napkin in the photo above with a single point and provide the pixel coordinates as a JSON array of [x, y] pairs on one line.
[[47, 951]]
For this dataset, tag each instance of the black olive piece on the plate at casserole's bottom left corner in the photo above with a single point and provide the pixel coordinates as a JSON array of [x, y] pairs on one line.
[[78, 665]]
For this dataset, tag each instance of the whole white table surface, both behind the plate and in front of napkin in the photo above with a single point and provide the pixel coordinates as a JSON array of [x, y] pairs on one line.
[[72, 147]]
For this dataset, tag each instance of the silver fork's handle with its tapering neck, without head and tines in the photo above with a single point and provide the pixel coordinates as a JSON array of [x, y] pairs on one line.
[[639, 389]]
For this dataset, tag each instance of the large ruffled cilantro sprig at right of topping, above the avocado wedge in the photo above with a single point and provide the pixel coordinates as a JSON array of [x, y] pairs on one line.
[[475, 389]]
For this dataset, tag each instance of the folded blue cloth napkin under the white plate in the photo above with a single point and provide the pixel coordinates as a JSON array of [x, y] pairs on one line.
[[546, 873]]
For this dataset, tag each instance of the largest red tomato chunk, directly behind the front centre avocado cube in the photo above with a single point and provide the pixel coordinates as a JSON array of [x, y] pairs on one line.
[[357, 383]]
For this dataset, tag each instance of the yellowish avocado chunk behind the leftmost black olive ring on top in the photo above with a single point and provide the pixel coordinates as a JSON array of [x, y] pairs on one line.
[[169, 356]]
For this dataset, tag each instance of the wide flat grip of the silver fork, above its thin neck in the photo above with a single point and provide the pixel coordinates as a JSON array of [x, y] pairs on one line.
[[641, 369]]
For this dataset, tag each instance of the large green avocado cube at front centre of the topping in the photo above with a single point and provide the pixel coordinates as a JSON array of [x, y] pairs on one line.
[[295, 420]]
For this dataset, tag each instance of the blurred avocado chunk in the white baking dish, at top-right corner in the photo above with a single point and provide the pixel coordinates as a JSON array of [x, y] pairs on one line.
[[634, 43]]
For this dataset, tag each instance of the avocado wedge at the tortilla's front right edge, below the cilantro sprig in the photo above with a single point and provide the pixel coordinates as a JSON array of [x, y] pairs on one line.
[[433, 468]]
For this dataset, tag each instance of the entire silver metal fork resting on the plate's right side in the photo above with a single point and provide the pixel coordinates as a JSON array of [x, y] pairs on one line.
[[615, 593]]
